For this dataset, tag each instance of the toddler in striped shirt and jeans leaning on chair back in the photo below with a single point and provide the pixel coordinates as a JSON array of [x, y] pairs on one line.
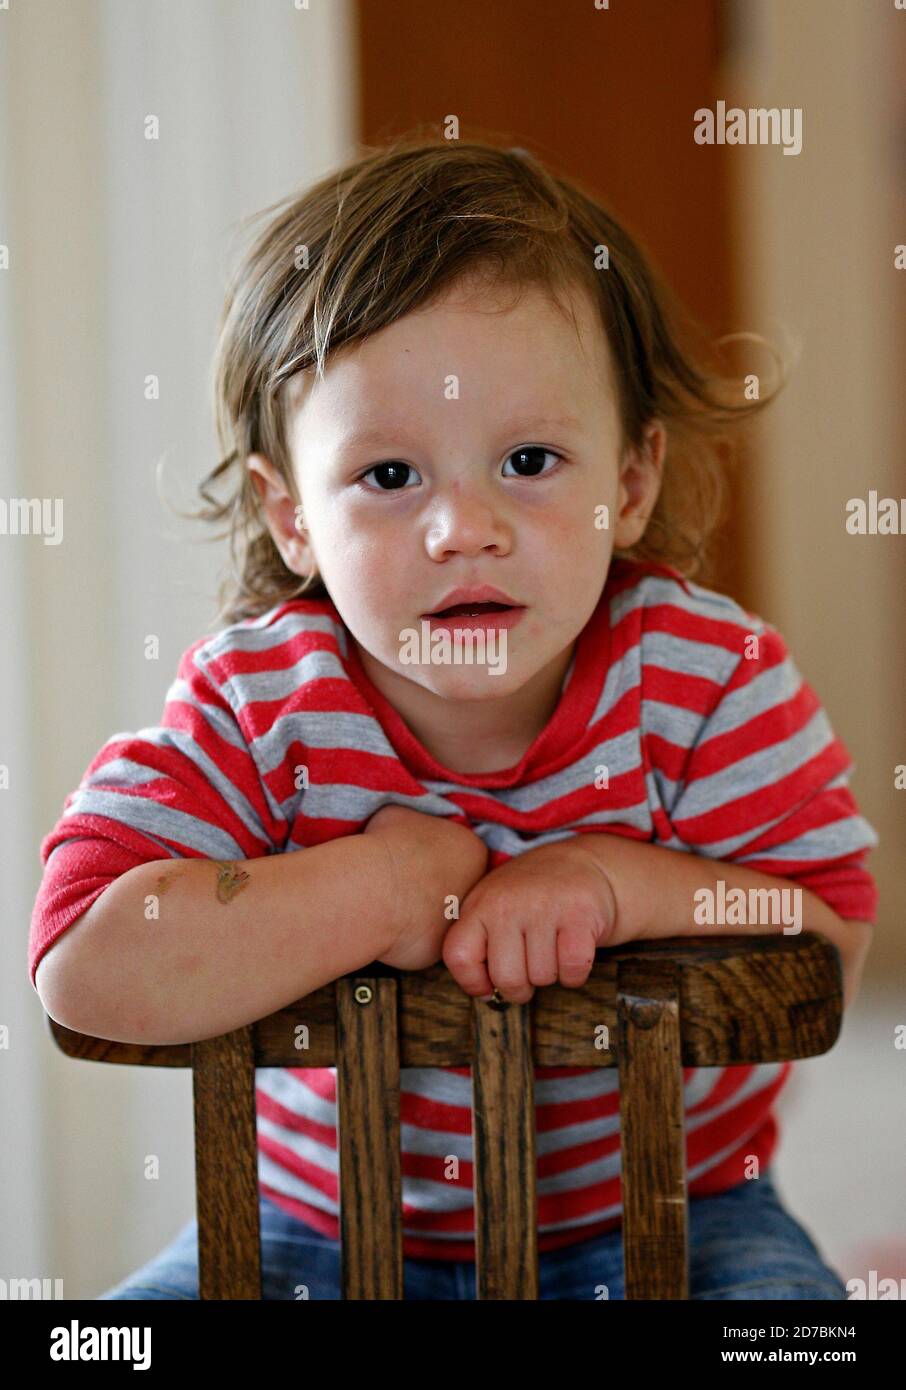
[[475, 468]]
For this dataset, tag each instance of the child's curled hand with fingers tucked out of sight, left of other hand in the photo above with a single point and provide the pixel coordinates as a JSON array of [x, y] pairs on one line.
[[433, 860]]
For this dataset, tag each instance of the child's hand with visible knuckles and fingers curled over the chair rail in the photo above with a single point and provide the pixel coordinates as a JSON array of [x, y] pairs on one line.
[[534, 921]]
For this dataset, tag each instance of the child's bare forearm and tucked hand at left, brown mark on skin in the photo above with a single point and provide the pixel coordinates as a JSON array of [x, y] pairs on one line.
[[206, 967]]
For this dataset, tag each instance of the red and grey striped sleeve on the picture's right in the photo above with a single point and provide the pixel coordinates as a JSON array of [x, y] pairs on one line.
[[766, 785]]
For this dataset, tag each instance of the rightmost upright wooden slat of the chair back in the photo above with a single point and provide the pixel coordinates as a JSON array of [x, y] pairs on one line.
[[652, 1125]]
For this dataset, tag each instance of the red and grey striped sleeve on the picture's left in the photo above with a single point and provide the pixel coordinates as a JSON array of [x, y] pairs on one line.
[[187, 789]]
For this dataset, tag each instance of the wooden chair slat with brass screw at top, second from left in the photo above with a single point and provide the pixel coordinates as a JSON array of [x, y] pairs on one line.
[[369, 1138]]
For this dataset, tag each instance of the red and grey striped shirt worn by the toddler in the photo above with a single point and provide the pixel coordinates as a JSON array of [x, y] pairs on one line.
[[714, 744]]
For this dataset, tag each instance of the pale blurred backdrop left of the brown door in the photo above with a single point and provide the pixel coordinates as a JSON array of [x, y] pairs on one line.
[[119, 256]]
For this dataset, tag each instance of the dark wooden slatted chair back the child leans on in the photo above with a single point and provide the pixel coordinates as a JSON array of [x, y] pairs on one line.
[[651, 1008]]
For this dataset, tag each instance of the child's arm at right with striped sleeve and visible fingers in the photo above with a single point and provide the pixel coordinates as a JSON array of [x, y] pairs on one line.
[[764, 786]]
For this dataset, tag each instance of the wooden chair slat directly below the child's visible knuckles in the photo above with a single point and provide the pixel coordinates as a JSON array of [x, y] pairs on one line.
[[504, 1145]]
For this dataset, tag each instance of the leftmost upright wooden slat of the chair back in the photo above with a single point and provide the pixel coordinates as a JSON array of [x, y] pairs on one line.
[[227, 1167]]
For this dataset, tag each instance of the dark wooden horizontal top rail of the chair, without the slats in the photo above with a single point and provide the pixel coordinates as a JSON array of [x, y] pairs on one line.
[[744, 1000]]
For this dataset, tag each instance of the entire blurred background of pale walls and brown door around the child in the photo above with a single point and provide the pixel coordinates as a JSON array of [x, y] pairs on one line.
[[119, 254]]
